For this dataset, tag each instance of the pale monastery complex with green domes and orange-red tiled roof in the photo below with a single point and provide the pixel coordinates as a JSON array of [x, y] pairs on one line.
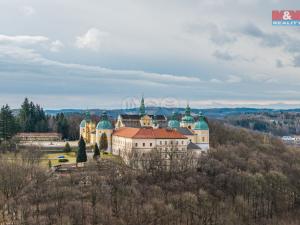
[[184, 132]]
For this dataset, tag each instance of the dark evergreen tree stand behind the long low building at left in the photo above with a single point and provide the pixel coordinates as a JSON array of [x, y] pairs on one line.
[[32, 118]]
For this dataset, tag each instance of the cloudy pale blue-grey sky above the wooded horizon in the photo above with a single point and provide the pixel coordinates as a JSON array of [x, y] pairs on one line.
[[108, 53]]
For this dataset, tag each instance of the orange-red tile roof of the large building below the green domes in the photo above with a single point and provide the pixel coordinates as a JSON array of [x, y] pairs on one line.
[[148, 133]]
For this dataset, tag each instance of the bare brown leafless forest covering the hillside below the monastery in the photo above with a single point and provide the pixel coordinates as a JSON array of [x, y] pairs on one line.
[[245, 178]]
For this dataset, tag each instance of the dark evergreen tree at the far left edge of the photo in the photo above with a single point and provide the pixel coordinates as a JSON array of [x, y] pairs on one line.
[[7, 123]]
